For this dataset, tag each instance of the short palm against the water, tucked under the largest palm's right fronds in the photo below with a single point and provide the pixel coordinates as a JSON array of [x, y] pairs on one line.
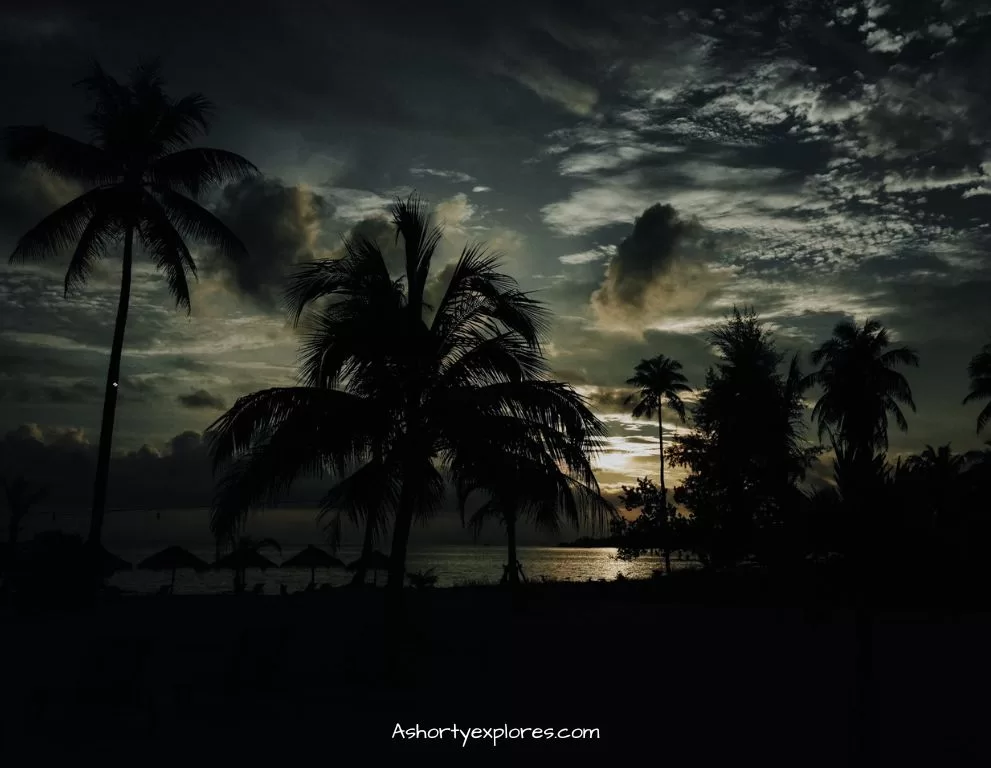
[[543, 478]]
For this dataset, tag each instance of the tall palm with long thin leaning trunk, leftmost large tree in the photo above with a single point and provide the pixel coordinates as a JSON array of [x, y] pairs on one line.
[[142, 180]]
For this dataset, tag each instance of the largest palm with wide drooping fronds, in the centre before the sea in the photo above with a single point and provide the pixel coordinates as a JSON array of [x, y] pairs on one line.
[[383, 371]]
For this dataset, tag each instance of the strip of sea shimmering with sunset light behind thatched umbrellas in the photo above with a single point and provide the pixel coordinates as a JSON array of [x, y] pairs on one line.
[[452, 565]]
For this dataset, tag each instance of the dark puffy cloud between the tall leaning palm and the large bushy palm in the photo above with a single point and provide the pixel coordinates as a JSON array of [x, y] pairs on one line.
[[280, 225]]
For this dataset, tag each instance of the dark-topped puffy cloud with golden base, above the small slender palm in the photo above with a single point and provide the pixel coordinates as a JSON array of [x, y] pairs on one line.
[[659, 269]]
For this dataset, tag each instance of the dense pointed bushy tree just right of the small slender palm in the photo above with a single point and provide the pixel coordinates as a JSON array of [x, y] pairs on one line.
[[746, 452]]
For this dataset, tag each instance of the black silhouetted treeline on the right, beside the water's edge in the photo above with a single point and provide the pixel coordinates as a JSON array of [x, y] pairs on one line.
[[744, 499]]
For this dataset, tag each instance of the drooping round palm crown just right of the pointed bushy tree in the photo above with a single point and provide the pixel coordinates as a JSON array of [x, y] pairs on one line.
[[860, 386]]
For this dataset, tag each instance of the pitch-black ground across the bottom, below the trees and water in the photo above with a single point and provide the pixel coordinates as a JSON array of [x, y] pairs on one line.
[[254, 680]]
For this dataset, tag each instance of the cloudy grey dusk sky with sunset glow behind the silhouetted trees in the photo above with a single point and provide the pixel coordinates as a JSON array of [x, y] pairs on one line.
[[817, 160]]
